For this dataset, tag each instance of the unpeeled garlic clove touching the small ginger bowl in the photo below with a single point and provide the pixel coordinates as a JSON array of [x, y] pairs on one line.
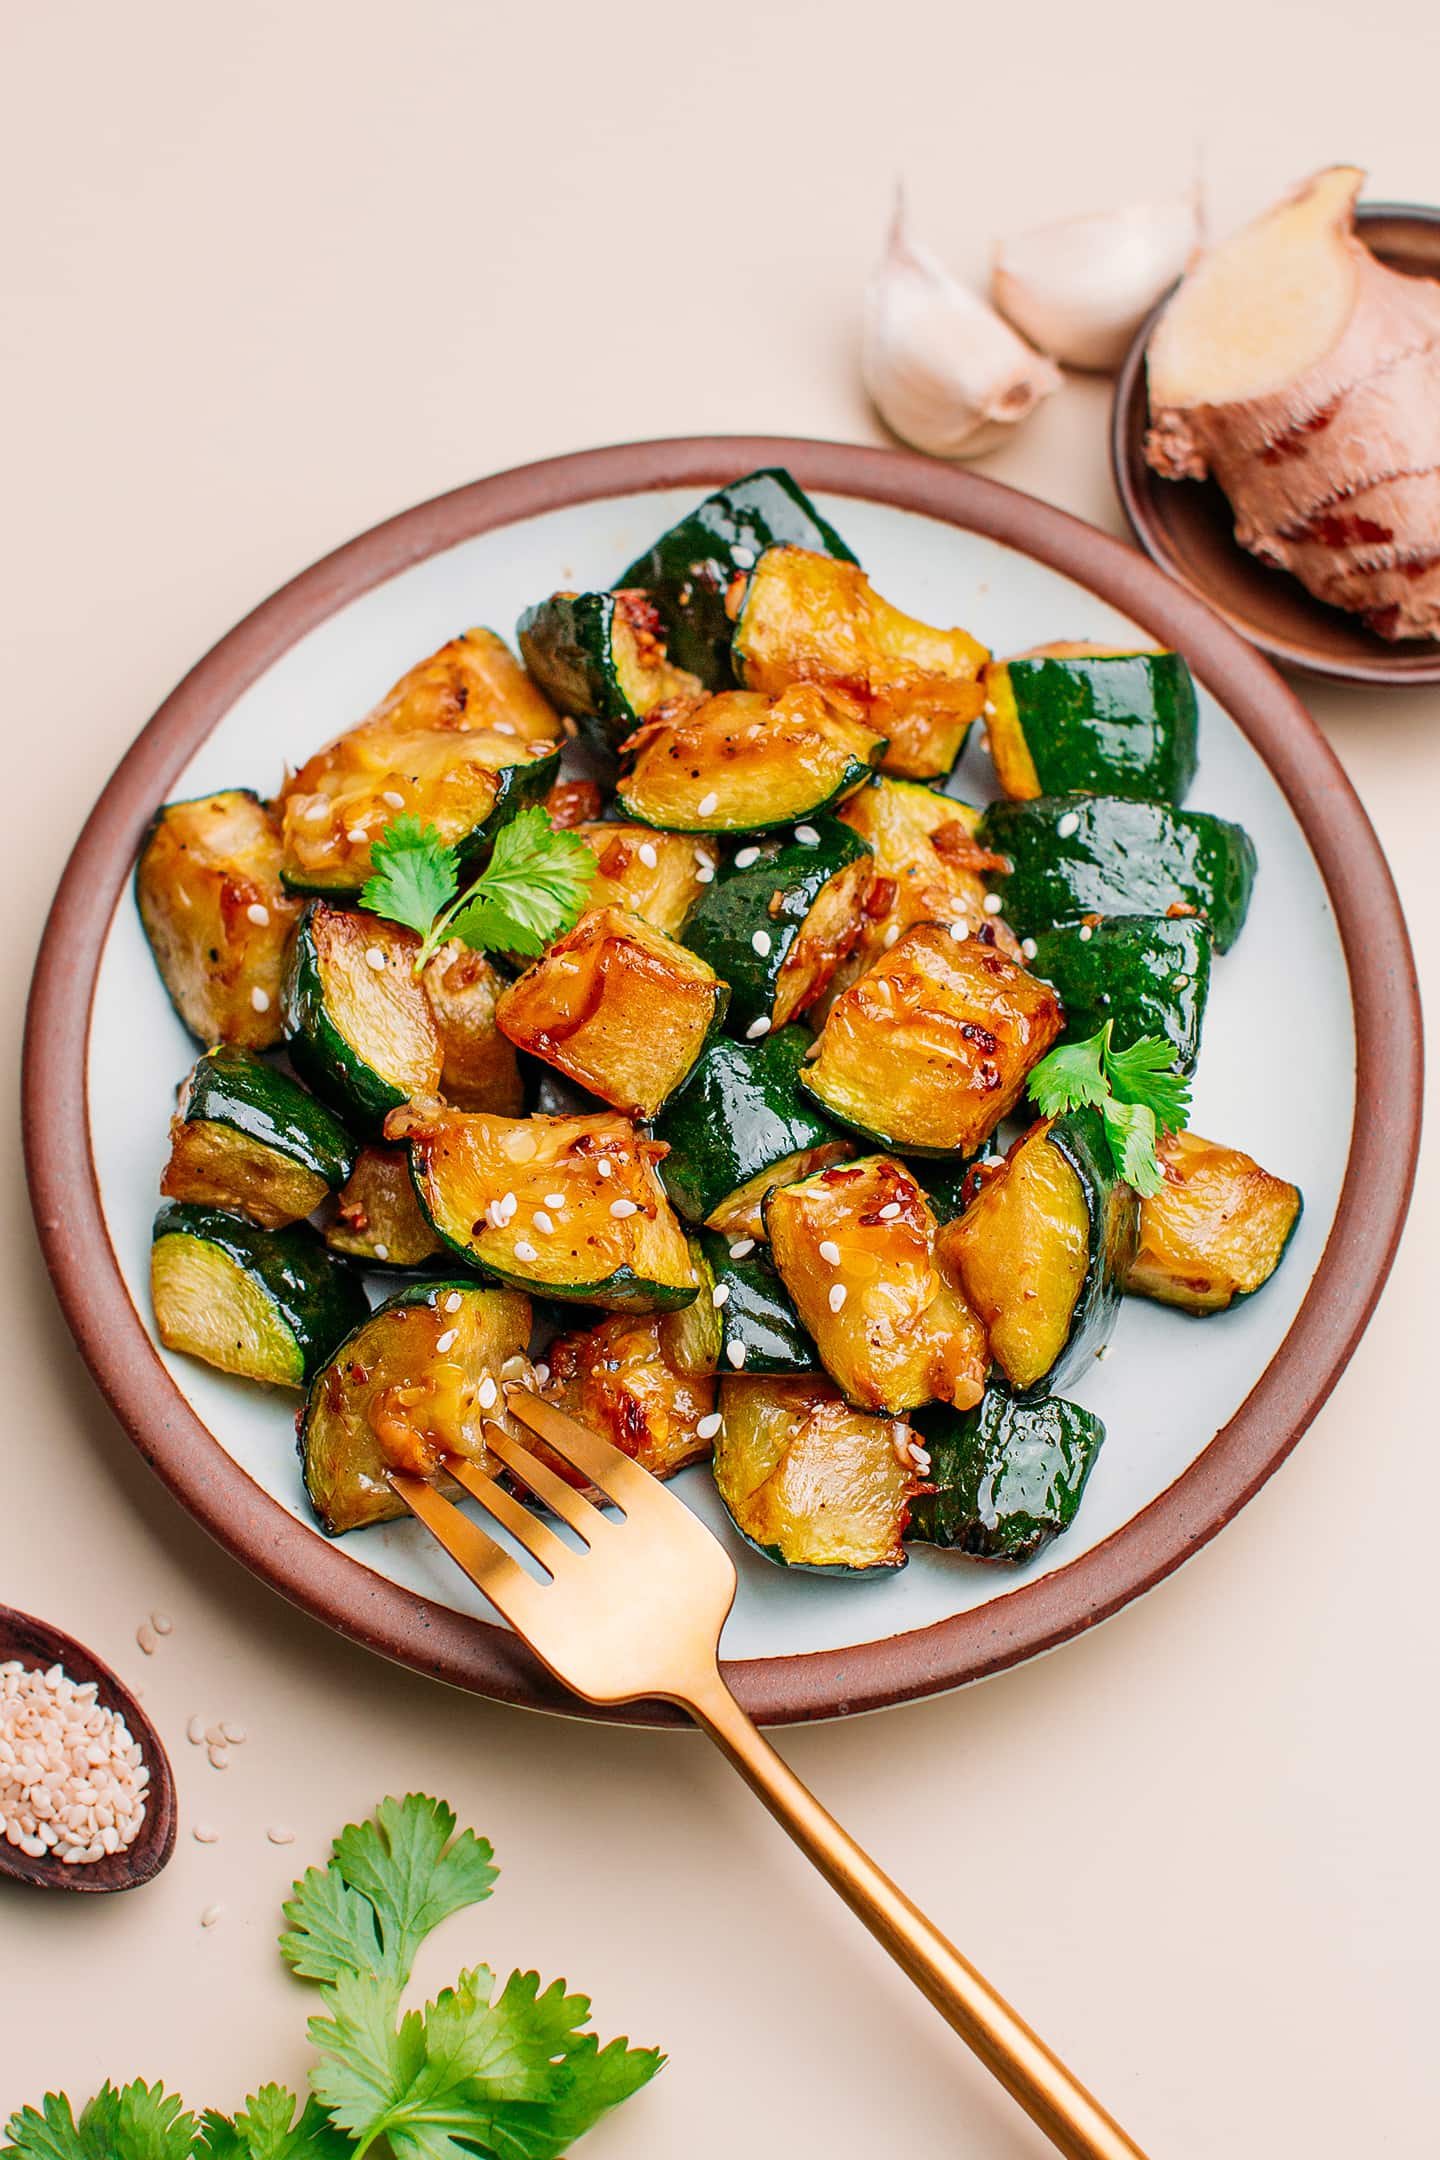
[[1083, 288]]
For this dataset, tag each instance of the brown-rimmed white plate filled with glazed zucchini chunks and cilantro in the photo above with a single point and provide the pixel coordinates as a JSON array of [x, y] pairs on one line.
[[834, 973]]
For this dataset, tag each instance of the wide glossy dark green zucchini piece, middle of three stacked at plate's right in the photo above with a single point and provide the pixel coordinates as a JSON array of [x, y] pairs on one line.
[[1078, 856]]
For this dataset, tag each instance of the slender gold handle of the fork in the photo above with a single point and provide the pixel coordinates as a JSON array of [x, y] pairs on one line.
[[1018, 2057]]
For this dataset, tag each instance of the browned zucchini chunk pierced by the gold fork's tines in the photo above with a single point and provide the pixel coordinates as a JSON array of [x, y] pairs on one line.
[[416, 1383]]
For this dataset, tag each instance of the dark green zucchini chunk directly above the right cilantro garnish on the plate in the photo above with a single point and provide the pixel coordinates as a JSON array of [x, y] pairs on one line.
[[1150, 975]]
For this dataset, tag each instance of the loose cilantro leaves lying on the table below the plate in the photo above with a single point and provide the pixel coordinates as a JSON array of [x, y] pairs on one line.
[[504, 2073]]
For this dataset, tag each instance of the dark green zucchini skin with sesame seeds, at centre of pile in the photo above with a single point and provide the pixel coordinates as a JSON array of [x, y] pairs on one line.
[[739, 906]]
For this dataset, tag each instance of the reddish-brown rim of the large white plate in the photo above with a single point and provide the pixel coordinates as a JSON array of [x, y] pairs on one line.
[[1029, 1619]]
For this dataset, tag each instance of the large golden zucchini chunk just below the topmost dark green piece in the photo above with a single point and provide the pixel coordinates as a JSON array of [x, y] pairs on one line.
[[811, 619]]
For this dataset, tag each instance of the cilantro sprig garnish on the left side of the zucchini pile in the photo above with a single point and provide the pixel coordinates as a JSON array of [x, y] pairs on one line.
[[530, 893]]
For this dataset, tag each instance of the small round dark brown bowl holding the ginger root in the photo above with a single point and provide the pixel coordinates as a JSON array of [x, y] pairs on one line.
[[1188, 526]]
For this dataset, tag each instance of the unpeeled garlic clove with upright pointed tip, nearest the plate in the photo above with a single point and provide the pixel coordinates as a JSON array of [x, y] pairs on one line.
[[945, 373]]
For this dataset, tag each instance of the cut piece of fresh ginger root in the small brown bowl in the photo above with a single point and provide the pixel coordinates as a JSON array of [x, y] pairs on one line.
[[1305, 377]]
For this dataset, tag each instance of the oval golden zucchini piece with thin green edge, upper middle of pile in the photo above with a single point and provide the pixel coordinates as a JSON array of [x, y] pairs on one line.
[[746, 764]]
